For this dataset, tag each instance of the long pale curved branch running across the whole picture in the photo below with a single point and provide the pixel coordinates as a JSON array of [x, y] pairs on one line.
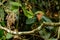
[[29, 32]]
